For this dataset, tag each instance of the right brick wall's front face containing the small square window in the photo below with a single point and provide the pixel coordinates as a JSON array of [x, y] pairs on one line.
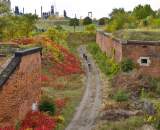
[[135, 51]]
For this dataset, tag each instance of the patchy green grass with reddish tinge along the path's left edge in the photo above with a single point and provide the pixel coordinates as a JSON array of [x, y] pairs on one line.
[[69, 88]]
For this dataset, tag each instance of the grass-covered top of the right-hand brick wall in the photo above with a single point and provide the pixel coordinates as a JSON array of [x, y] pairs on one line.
[[138, 34]]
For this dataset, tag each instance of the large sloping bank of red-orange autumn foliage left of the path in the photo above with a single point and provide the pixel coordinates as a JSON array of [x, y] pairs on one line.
[[69, 65]]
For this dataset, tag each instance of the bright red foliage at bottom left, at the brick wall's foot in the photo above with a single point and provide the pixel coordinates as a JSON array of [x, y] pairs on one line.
[[38, 121]]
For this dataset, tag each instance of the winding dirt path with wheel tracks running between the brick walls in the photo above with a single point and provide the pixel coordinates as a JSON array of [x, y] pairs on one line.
[[87, 112]]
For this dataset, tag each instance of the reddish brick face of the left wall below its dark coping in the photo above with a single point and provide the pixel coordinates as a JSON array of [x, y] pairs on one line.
[[21, 89]]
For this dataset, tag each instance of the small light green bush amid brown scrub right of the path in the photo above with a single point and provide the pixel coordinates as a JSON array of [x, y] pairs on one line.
[[120, 96]]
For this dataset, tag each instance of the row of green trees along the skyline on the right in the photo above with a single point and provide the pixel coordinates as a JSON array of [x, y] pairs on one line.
[[142, 16]]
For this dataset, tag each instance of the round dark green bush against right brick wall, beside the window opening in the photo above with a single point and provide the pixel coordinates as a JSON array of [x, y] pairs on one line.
[[127, 65]]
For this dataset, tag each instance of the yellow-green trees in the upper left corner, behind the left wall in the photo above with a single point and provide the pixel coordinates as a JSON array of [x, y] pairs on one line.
[[14, 26]]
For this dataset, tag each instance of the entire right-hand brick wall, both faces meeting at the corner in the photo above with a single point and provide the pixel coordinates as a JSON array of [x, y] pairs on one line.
[[133, 50]]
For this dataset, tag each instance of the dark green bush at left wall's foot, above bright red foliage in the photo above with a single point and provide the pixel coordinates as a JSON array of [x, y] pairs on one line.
[[47, 105]]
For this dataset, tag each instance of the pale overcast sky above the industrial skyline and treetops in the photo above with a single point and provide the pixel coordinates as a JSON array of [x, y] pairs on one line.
[[100, 8]]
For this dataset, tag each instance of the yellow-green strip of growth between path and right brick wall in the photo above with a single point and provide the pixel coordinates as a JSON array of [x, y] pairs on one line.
[[107, 65]]
